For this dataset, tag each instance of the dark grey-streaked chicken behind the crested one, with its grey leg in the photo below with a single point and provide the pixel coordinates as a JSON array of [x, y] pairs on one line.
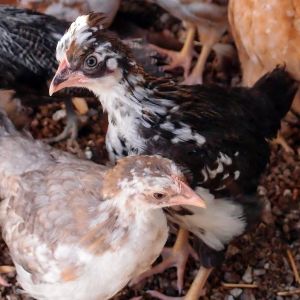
[[27, 62]]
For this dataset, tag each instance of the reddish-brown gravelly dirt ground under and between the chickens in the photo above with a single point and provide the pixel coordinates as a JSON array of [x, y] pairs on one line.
[[259, 258]]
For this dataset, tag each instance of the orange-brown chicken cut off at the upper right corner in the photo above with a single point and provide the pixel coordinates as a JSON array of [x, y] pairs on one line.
[[267, 33]]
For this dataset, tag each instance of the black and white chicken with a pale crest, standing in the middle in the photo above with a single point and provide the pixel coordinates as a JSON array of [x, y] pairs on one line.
[[218, 136]]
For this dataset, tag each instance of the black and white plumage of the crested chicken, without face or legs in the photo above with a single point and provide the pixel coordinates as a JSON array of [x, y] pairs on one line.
[[218, 136]]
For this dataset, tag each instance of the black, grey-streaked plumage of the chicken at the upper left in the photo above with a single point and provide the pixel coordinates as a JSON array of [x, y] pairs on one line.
[[27, 54]]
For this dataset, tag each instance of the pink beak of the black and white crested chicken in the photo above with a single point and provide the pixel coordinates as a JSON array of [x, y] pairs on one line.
[[65, 77]]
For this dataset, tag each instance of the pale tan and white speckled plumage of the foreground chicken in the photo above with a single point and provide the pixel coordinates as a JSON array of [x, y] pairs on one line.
[[73, 227]]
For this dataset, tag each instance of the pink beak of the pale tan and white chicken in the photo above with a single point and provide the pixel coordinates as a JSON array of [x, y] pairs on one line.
[[187, 196]]
